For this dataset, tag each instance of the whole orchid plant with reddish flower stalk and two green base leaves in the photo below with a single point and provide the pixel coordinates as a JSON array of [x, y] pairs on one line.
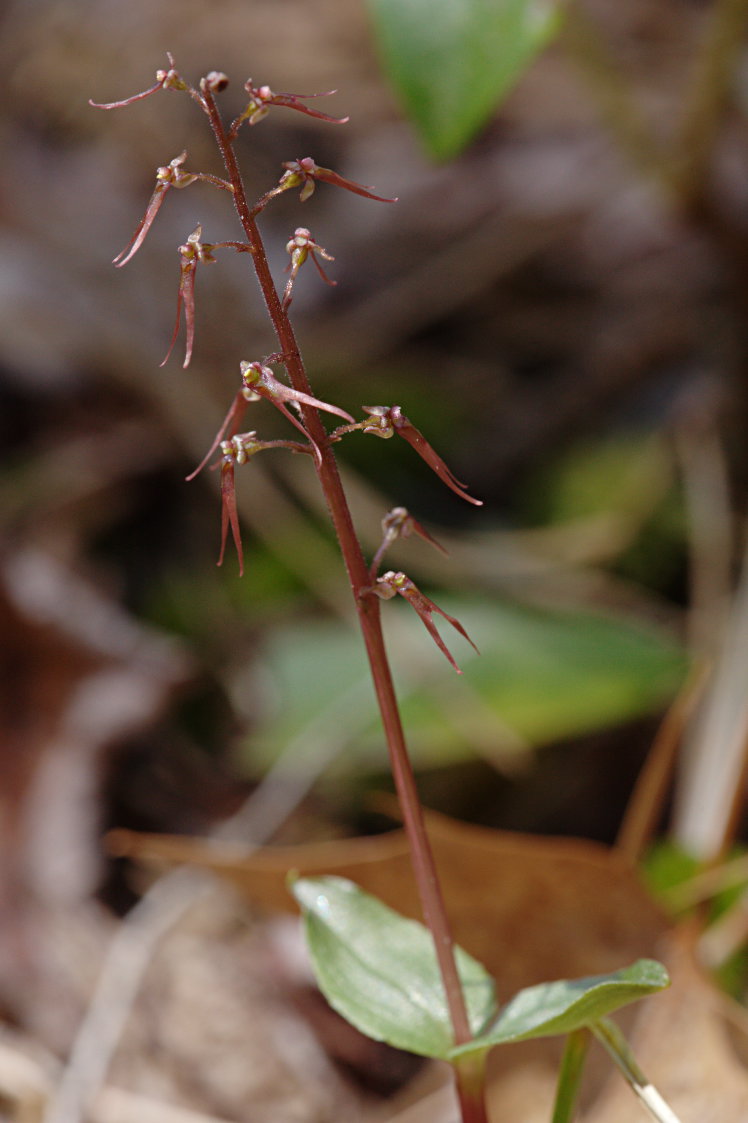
[[450, 1008]]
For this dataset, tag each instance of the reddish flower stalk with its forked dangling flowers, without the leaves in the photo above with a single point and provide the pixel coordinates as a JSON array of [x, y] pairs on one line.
[[259, 381]]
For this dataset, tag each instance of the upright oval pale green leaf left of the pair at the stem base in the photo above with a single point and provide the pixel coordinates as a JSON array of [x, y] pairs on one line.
[[380, 972]]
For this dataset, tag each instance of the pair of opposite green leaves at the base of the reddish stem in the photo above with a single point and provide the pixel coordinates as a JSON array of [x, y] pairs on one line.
[[379, 971]]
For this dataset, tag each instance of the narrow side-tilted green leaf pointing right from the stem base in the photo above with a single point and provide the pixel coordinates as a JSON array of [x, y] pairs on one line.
[[552, 1009]]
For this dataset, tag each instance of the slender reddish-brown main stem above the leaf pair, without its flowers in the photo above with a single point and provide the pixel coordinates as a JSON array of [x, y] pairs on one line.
[[368, 607]]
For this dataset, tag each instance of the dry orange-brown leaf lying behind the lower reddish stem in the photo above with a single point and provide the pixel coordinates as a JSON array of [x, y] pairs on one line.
[[530, 908]]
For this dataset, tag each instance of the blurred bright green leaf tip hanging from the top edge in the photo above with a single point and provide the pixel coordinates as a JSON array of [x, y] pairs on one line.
[[452, 61]]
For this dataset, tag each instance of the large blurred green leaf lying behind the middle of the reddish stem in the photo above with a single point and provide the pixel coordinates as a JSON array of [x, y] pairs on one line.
[[545, 675]]
